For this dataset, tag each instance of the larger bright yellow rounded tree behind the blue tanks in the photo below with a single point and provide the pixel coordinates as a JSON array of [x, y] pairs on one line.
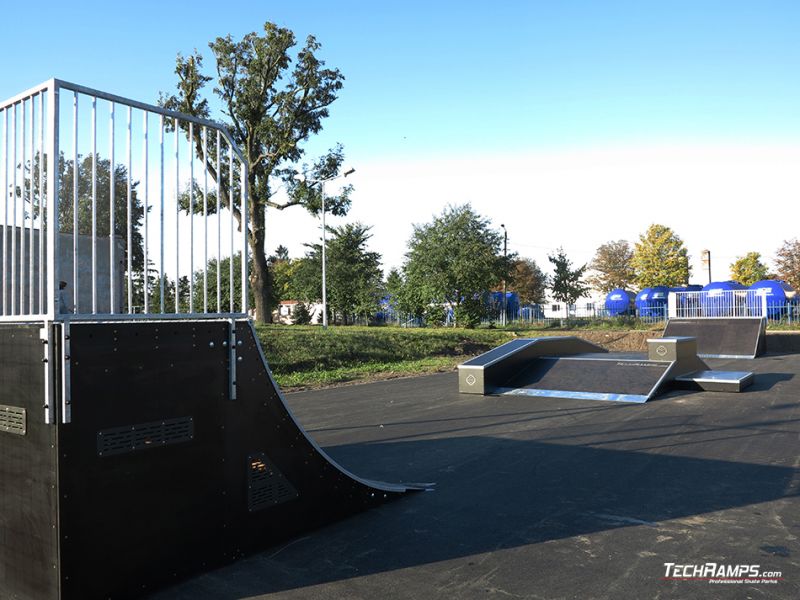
[[660, 258]]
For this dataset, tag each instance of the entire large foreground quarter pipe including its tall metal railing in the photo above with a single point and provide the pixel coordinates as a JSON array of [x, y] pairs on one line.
[[142, 435]]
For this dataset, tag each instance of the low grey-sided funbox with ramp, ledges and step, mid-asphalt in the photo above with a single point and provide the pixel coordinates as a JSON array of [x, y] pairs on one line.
[[569, 367]]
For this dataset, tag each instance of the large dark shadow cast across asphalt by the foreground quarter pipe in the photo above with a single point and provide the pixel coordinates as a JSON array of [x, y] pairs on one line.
[[496, 493]]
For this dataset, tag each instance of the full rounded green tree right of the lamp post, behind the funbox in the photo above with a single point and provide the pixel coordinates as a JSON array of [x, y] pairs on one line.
[[454, 260]]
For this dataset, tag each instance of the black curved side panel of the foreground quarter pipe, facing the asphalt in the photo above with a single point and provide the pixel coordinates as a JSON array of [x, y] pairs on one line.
[[200, 479]]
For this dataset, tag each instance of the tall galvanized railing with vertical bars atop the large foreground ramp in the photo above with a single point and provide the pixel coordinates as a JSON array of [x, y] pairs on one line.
[[116, 208]]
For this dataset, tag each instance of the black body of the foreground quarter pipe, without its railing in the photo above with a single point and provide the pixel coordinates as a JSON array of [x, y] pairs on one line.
[[160, 473]]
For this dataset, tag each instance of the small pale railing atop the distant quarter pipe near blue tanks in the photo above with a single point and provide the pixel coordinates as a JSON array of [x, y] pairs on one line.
[[717, 304]]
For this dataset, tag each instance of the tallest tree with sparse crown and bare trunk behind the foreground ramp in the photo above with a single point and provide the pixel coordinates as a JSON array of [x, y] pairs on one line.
[[271, 109]]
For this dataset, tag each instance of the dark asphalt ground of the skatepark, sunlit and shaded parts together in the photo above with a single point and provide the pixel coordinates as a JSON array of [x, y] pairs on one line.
[[545, 497]]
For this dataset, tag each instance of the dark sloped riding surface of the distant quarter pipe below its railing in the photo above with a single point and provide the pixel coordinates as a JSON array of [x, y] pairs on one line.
[[721, 337]]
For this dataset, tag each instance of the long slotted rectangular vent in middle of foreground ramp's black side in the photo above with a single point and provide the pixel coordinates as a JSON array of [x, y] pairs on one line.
[[132, 438]]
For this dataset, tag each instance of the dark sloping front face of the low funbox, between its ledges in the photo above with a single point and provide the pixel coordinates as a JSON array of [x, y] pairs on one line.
[[592, 375]]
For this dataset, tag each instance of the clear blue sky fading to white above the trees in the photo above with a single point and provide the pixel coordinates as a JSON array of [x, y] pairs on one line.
[[445, 87]]
